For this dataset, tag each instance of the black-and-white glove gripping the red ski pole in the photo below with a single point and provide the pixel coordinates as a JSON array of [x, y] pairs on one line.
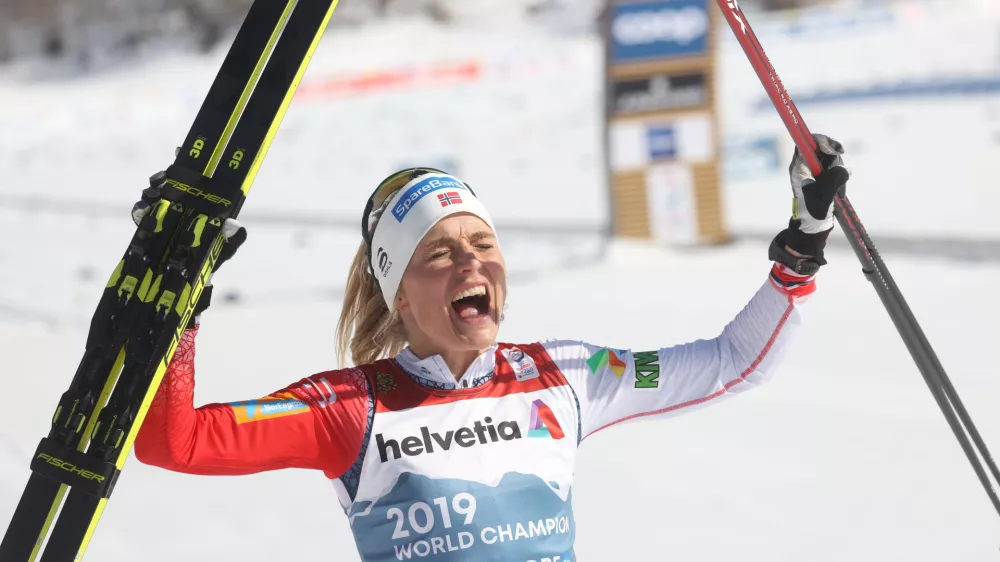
[[812, 208]]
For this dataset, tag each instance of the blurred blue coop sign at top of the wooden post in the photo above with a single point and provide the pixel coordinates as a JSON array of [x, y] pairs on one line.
[[659, 30]]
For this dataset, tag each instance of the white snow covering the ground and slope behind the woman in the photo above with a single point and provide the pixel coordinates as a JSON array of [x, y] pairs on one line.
[[844, 456]]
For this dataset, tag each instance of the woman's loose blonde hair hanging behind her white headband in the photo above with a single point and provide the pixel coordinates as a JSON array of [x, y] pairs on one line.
[[366, 327]]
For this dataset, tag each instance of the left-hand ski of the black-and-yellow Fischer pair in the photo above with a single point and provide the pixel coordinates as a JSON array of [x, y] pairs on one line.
[[104, 356]]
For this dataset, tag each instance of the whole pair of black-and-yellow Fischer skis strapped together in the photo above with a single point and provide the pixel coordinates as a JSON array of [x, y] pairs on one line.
[[172, 252]]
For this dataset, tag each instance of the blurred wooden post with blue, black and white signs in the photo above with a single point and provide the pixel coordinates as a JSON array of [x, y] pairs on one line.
[[662, 130]]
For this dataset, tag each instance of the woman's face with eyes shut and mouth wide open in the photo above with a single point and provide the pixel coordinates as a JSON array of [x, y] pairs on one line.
[[452, 293]]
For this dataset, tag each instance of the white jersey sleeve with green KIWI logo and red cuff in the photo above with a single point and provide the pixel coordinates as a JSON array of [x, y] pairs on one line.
[[614, 386]]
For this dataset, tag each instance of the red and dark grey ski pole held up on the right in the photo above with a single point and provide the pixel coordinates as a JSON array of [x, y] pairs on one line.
[[872, 265]]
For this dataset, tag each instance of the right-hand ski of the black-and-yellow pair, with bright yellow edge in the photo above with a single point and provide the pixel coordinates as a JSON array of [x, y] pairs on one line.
[[189, 266]]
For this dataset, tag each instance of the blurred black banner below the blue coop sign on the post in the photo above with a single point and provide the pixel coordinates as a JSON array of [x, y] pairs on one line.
[[659, 92]]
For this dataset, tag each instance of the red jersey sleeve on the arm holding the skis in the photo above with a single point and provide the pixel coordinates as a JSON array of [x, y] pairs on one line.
[[316, 423]]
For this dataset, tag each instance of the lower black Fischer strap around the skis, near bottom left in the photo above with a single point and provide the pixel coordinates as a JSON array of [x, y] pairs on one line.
[[66, 465]]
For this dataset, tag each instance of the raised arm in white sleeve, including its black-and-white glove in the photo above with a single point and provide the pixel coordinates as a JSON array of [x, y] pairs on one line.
[[616, 386]]
